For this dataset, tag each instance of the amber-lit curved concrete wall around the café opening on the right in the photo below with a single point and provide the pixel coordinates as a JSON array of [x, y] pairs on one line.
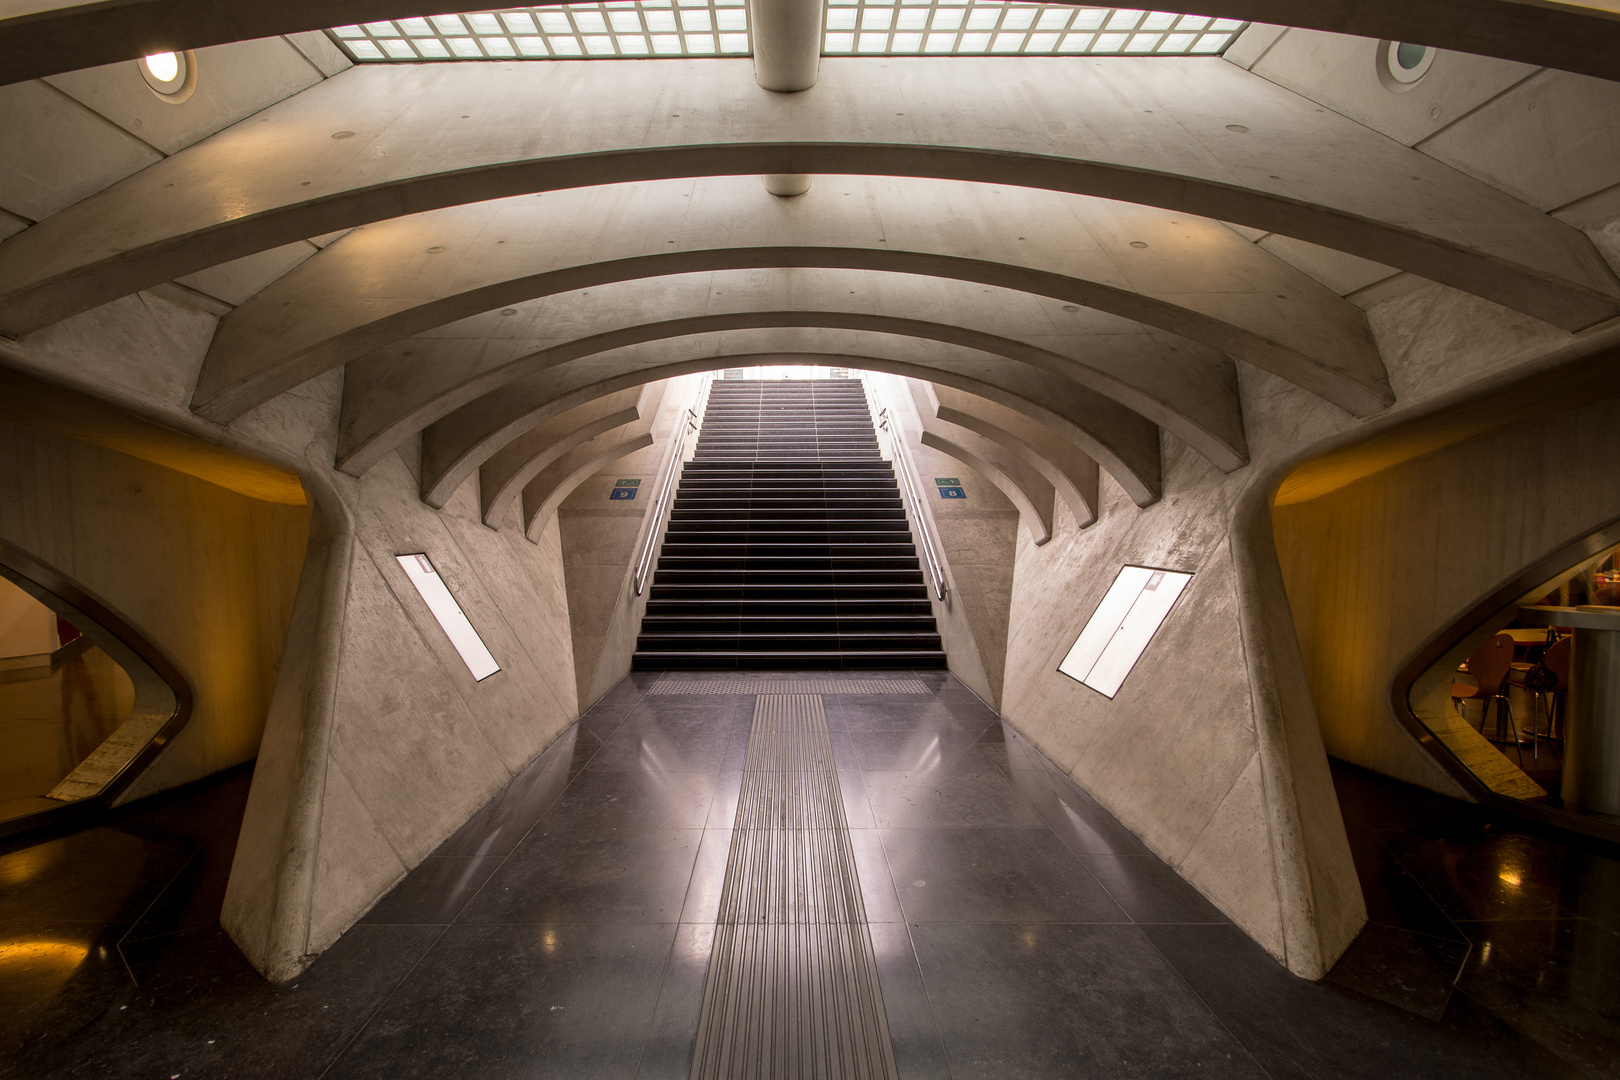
[[1381, 566]]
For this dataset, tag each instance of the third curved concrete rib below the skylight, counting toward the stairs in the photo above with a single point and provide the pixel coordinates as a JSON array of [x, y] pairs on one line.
[[1164, 380]]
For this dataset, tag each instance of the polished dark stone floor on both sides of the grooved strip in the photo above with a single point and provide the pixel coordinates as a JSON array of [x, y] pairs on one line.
[[1020, 930]]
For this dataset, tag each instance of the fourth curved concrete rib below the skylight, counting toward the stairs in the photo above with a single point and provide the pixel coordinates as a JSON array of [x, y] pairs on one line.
[[1119, 440]]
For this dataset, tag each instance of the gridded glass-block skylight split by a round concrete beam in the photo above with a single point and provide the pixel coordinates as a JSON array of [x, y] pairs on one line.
[[712, 28]]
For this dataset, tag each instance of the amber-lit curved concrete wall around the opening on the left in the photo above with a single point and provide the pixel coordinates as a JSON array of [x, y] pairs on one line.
[[205, 572]]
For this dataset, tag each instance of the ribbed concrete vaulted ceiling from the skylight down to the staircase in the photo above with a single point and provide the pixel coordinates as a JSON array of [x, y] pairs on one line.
[[1042, 242]]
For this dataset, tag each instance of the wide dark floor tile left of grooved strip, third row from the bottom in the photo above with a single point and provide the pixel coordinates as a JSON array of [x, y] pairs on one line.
[[616, 799]]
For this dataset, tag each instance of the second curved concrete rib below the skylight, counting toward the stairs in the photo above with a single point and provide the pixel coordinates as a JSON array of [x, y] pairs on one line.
[[1185, 276]]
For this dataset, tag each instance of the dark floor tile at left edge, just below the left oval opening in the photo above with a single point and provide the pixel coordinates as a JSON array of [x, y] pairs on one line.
[[98, 875]]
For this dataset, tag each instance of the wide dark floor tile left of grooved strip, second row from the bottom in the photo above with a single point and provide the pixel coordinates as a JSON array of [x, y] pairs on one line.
[[590, 877]]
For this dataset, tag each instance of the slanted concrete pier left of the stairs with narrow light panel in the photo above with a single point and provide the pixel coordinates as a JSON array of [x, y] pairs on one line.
[[382, 744]]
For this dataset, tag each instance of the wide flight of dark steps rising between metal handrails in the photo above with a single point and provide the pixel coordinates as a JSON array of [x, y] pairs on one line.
[[788, 546]]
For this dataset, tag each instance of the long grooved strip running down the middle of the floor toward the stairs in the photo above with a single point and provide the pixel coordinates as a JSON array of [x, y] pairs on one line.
[[793, 984]]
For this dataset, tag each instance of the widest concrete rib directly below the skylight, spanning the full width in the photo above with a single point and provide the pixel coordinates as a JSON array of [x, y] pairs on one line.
[[1221, 143]]
